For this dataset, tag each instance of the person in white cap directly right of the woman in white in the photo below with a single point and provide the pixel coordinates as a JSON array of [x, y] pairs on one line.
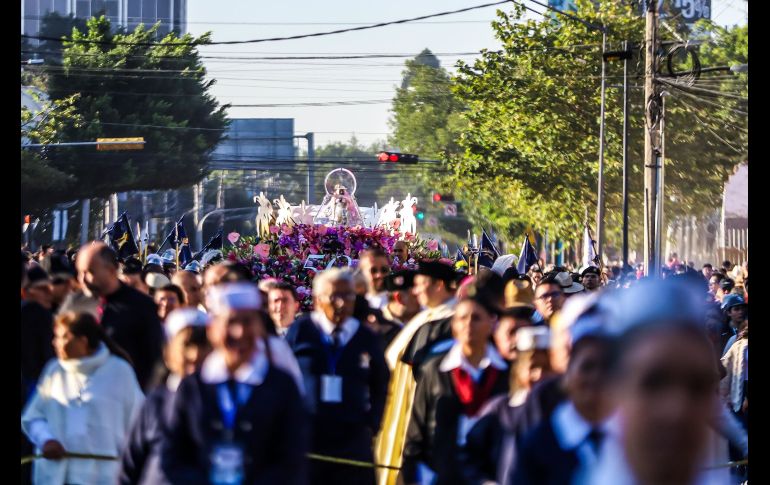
[[186, 348]]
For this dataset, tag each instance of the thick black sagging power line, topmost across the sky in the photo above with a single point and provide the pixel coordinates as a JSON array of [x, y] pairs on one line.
[[274, 39]]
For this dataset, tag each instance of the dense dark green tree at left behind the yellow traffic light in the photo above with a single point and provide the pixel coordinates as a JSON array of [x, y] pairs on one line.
[[130, 86]]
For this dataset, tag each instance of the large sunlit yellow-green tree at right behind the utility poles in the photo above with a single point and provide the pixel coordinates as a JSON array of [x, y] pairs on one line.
[[533, 126]]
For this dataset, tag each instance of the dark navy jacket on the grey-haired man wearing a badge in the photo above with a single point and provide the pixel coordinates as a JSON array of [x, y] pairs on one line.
[[344, 429]]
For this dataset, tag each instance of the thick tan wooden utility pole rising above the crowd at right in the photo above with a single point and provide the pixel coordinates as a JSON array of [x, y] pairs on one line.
[[651, 139]]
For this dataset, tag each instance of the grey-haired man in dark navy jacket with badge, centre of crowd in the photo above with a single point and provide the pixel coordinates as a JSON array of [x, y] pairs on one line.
[[345, 376]]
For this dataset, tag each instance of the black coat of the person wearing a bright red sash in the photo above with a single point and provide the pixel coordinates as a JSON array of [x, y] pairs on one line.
[[431, 437]]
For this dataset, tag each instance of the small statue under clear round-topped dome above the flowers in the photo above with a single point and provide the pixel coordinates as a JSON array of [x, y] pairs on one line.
[[339, 207]]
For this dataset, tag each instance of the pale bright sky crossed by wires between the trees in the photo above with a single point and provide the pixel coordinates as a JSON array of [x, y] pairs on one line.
[[302, 81]]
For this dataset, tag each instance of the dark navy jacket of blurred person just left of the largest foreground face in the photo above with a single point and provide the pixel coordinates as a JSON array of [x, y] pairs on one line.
[[542, 461]]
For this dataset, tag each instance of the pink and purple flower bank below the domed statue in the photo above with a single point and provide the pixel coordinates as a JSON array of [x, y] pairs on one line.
[[296, 253]]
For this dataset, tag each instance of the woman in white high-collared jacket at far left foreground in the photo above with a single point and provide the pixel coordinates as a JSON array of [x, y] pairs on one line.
[[85, 402]]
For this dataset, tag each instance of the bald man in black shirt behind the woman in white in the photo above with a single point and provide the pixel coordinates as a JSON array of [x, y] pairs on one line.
[[128, 316]]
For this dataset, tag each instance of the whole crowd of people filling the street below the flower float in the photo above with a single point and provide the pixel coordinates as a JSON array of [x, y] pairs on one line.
[[150, 373]]
